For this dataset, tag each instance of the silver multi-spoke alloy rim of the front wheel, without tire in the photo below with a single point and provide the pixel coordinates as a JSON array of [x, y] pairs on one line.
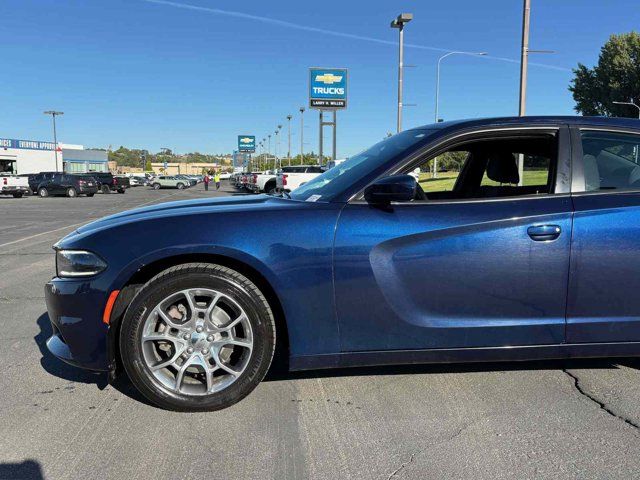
[[197, 341]]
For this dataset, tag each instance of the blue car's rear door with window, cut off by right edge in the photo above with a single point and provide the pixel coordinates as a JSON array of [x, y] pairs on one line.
[[603, 303]]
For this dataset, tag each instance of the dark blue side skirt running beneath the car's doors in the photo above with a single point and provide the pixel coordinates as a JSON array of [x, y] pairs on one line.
[[464, 355]]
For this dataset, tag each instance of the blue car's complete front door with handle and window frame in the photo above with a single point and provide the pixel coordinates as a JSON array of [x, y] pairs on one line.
[[472, 272]]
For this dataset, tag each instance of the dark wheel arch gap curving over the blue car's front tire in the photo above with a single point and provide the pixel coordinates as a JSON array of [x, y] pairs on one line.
[[148, 271]]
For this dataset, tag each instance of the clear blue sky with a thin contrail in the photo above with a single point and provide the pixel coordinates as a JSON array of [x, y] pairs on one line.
[[193, 74]]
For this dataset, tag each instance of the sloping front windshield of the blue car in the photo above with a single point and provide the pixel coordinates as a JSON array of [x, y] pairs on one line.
[[347, 174]]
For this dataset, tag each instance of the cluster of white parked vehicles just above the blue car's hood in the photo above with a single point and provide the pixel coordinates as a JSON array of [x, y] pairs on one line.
[[285, 179]]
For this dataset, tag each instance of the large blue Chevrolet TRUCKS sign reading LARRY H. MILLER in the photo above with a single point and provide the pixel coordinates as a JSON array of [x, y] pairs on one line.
[[327, 88]]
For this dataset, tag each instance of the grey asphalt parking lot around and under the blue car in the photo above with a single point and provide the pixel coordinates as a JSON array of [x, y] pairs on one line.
[[531, 420]]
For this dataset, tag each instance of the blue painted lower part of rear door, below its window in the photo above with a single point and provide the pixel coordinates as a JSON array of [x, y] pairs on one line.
[[604, 290]]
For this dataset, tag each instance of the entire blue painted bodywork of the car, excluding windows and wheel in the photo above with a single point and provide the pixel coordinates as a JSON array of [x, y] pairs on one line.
[[441, 281]]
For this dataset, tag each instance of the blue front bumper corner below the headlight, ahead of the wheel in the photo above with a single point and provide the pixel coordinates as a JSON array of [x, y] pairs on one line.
[[75, 311]]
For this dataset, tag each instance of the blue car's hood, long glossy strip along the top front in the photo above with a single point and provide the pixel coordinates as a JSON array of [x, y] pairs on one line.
[[186, 207]]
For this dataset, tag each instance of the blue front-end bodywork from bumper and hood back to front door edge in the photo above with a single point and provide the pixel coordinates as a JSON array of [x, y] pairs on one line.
[[290, 244]]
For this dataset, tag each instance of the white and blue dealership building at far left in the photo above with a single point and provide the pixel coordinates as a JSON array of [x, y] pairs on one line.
[[33, 156]]
